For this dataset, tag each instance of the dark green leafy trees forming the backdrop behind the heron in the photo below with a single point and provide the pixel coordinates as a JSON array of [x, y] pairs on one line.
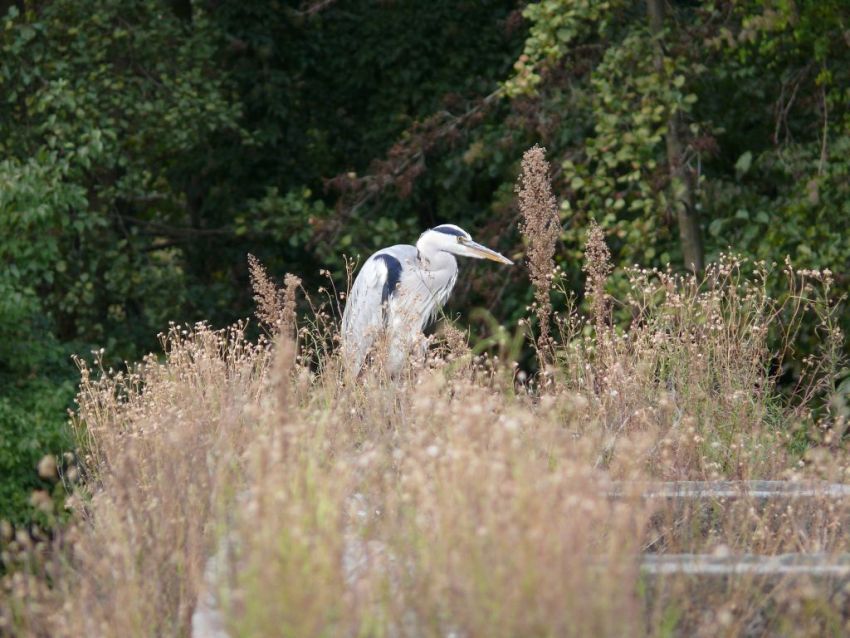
[[145, 148]]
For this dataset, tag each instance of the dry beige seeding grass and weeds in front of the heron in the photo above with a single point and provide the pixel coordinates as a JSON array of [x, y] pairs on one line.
[[456, 502]]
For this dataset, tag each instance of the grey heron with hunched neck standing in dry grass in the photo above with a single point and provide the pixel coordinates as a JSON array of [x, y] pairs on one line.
[[399, 290]]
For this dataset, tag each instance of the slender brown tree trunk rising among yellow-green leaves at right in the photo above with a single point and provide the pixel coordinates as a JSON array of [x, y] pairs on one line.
[[682, 182]]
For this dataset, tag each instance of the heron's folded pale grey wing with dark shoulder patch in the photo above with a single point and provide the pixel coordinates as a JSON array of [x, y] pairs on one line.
[[366, 309]]
